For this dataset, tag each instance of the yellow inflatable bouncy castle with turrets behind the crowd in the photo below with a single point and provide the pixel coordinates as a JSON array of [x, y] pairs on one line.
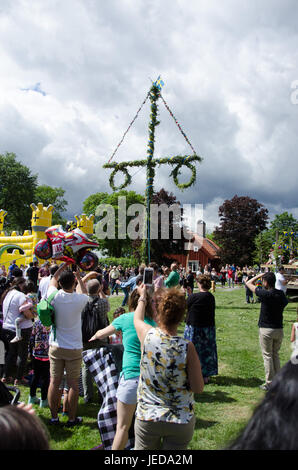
[[21, 247]]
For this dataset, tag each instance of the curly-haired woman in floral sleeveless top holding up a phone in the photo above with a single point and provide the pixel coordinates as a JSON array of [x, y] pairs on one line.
[[170, 372]]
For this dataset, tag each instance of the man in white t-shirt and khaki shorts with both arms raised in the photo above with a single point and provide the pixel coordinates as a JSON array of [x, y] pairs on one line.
[[65, 350]]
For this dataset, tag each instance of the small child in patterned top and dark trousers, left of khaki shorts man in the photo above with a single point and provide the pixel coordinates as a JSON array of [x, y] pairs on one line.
[[39, 350]]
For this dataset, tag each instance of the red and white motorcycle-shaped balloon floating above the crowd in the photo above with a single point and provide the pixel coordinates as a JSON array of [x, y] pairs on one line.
[[72, 247]]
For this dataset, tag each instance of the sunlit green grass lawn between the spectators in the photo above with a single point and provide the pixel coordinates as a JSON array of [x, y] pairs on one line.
[[227, 401]]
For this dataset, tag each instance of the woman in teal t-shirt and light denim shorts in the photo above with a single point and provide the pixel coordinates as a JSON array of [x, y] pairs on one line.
[[129, 377]]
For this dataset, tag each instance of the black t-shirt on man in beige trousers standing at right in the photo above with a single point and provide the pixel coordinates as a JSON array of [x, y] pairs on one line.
[[273, 302]]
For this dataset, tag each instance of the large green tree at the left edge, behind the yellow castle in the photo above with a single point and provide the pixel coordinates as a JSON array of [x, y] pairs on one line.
[[17, 189]]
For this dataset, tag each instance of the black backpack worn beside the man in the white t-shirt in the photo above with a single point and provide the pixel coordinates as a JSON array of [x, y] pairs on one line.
[[92, 319]]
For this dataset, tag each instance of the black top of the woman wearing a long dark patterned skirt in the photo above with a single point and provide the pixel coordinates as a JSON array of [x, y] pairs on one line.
[[201, 310]]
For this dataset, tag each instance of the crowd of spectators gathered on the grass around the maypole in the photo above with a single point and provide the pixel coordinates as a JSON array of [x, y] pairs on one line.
[[161, 370]]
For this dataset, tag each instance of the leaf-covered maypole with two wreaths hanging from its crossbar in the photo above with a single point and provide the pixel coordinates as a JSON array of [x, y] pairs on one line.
[[176, 161]]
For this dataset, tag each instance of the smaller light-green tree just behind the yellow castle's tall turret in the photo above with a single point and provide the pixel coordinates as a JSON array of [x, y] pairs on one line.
[[55, 196]]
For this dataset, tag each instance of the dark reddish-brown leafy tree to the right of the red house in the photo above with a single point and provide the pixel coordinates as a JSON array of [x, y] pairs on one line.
[[241, 220]]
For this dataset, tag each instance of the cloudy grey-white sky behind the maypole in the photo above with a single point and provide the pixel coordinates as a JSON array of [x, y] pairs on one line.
[[75, 72]]
